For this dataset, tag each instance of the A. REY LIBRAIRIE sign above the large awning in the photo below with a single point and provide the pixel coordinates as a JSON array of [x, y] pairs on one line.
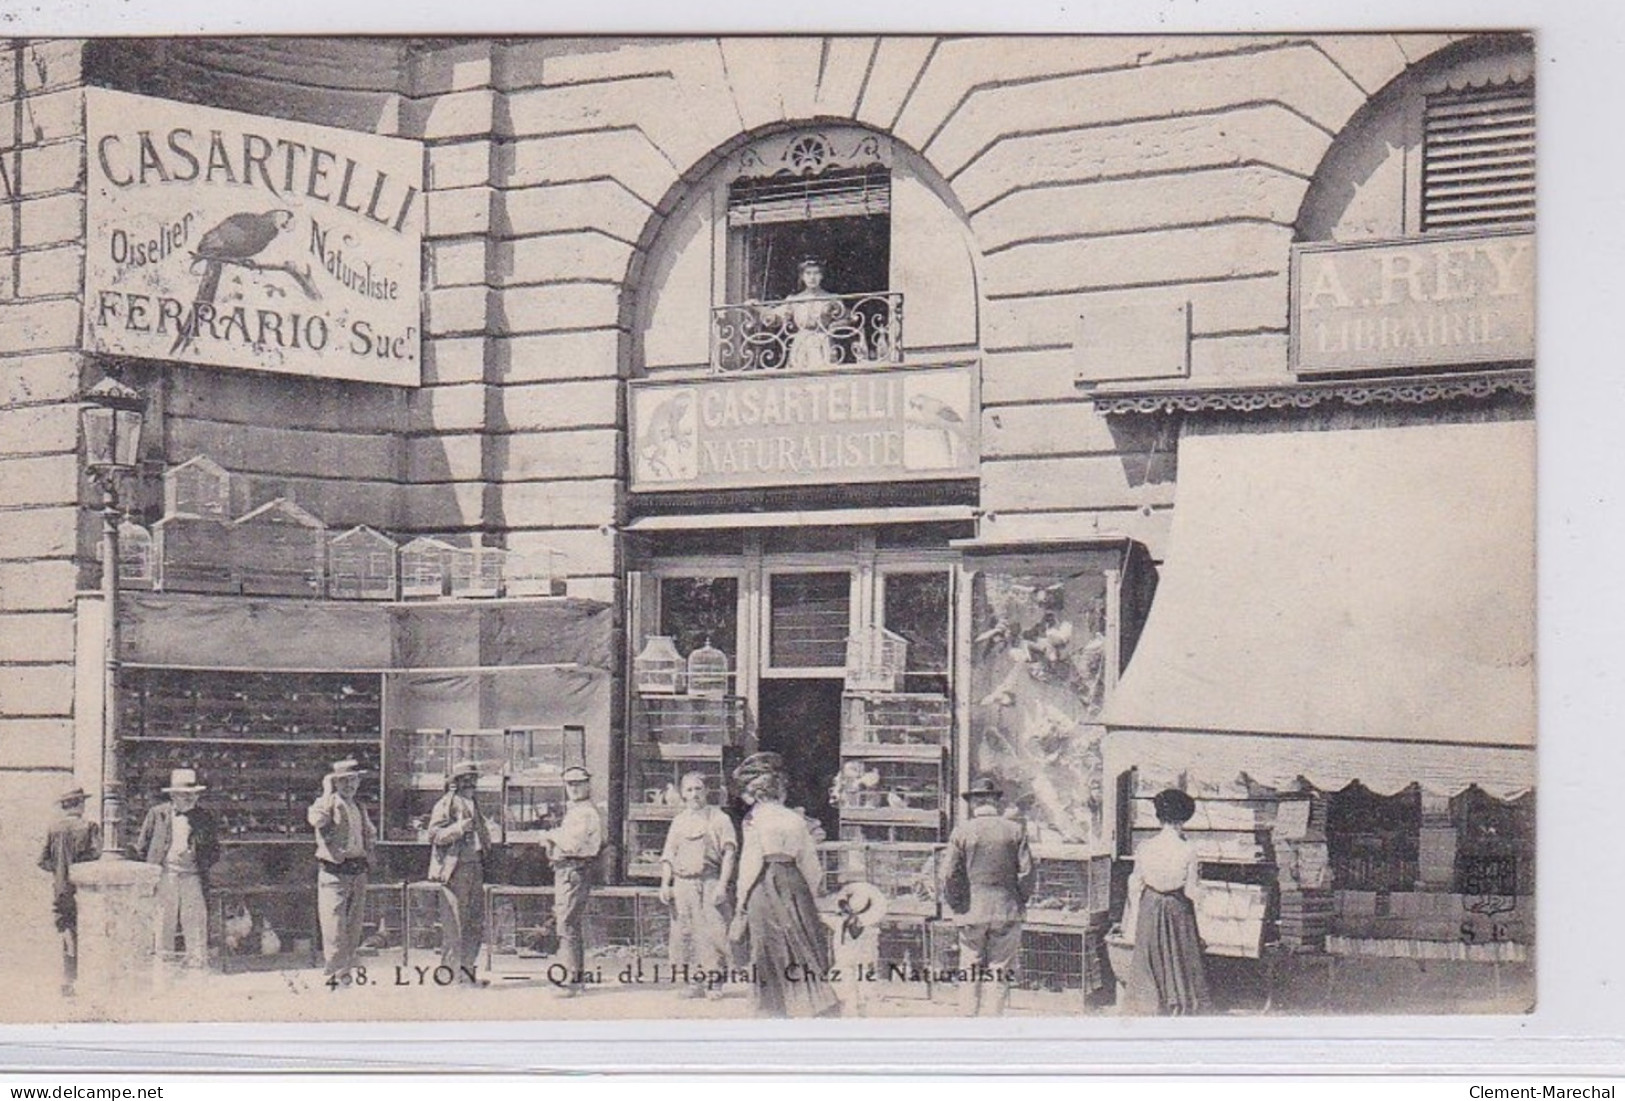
[[1416, 303]]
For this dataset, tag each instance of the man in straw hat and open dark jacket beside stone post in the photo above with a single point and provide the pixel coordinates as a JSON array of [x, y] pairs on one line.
[[181, 837]]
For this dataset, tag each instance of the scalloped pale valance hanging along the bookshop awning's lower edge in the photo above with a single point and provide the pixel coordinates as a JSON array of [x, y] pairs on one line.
[[1213, 764]]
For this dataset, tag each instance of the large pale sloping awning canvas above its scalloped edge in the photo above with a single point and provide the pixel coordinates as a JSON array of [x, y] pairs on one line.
[[1353, 584]]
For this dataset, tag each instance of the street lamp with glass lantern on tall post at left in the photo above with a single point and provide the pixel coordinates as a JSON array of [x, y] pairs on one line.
[[111, 425]]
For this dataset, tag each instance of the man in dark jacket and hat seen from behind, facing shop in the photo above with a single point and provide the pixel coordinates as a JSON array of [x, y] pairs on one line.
[[989, 852]]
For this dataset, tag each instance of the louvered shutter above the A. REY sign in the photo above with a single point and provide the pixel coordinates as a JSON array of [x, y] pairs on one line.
[[1478, 158]]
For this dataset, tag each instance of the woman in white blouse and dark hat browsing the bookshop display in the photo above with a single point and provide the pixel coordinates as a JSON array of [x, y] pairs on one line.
[[1166, 975]]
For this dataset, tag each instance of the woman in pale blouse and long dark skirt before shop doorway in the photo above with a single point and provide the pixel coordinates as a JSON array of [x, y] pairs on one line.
[[778, 871]]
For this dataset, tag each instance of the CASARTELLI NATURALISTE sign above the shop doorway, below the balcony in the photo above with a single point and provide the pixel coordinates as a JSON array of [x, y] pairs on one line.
[[805, 430]]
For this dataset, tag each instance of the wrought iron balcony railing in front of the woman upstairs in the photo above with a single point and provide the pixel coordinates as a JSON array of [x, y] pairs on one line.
[[810, 332]]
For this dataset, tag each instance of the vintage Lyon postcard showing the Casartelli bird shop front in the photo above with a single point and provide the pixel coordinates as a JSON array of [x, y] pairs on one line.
[[768, 527]]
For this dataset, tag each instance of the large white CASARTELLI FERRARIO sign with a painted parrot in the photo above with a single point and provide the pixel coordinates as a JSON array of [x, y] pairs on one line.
[[236, 241]]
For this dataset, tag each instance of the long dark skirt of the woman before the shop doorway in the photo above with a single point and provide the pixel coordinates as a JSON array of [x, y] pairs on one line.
[[787, 946]]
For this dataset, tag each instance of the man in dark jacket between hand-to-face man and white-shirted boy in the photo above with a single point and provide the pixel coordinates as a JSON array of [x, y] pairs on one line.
[[459, 844]]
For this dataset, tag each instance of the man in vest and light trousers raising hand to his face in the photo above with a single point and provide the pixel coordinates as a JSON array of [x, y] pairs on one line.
[[345, 842]]
